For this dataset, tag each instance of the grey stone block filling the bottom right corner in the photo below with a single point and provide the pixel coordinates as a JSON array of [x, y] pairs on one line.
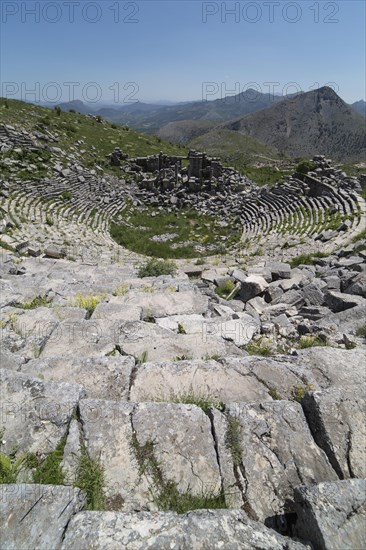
[[332, 515]]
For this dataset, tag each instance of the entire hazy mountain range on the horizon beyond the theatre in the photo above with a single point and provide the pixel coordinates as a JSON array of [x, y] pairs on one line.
[[299, 125]]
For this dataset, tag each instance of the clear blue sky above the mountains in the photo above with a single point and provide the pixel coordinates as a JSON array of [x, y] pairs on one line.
[[120, 51]]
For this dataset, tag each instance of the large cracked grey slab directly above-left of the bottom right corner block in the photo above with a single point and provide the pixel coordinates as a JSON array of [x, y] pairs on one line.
[[272, 451]]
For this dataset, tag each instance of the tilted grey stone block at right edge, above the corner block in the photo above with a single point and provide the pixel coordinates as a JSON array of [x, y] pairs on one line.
[[336, 418]]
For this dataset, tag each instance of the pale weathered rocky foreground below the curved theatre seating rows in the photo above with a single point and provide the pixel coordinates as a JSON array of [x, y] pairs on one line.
[[169, 398]]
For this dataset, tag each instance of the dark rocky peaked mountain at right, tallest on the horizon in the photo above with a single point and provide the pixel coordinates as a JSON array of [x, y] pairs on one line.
[[304, 125]]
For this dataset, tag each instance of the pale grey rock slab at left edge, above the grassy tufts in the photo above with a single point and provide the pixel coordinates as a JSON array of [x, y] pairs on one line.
[[36, 414]]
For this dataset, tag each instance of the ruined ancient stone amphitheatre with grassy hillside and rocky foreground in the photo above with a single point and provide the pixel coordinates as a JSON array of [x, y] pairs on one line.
[[210, 397]]
